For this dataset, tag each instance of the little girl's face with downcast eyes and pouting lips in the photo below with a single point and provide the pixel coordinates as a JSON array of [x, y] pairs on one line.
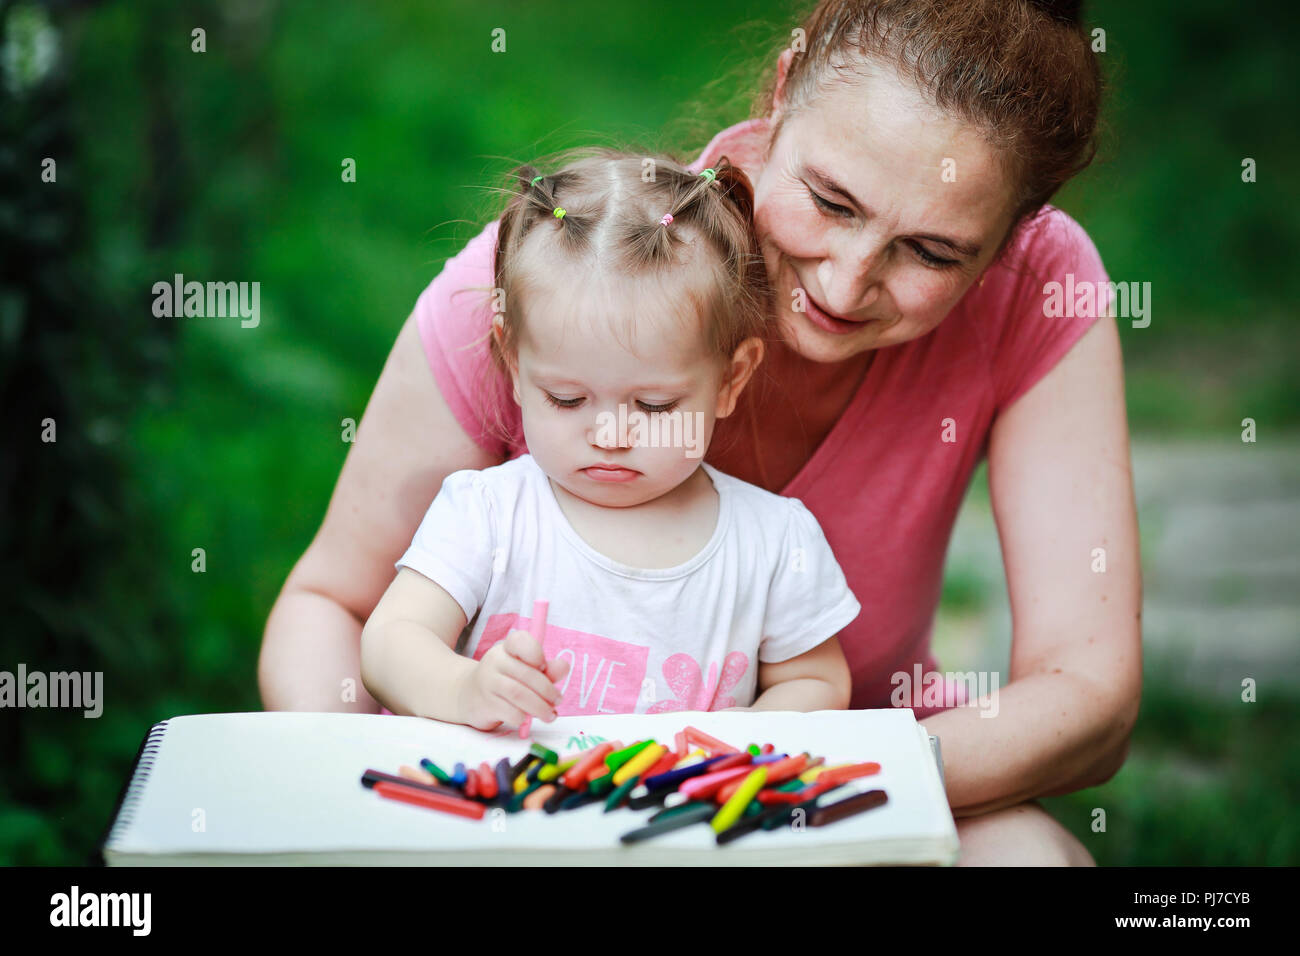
[[584, 393]]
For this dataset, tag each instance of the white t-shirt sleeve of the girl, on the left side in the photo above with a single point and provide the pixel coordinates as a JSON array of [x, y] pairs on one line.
[[456, 544]]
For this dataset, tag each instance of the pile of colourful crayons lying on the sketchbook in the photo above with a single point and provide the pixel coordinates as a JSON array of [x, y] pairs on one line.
[[735, 791]]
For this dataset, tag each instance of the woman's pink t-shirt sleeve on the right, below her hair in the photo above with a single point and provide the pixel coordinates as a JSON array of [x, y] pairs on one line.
[[1061, 291]]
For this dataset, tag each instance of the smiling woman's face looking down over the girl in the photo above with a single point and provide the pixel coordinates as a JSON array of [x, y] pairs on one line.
[[876, 214]]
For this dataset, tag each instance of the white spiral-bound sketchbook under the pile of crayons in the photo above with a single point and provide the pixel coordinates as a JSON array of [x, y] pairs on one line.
[[285, 789]]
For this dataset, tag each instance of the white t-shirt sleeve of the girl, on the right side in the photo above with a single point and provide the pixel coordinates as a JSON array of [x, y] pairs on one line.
[[809, 600]]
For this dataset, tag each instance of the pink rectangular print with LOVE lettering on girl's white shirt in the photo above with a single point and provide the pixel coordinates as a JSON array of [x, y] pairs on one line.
[[605, 676]]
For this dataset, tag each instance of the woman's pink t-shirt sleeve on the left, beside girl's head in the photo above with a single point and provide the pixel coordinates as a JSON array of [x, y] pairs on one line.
[[454, 318]]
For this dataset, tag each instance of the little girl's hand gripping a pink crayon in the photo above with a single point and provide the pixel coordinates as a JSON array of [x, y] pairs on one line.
[[513, 682]]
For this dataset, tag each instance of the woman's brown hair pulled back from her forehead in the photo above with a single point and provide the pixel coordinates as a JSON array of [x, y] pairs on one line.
[[1021, 71]]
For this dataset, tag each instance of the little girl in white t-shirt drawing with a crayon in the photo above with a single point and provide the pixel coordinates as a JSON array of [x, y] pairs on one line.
[[630, 315]]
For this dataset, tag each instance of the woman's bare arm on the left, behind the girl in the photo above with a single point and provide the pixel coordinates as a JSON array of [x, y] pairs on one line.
[[409, 442]]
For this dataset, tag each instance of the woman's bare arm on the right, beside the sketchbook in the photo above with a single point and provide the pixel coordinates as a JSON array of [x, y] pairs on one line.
[[1061, 487]]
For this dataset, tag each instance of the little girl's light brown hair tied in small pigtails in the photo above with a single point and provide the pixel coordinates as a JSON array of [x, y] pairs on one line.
[[613, 218]]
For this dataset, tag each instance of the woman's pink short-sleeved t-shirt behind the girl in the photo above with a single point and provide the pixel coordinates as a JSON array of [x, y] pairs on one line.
[[885, 485]]
